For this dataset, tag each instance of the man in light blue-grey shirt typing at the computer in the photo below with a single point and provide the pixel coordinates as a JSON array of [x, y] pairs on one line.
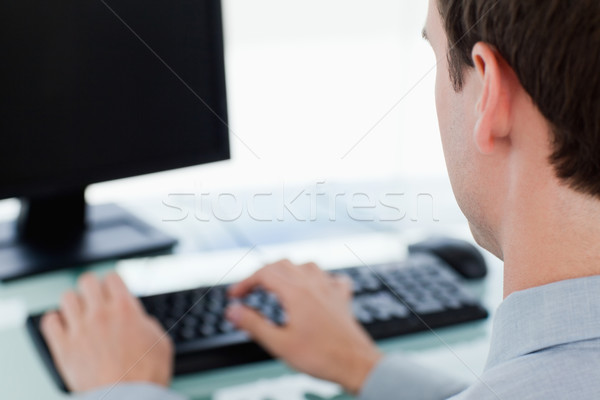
[[518, 97]]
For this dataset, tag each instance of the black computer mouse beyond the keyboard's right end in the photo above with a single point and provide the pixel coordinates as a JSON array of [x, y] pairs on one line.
[[461, 255]]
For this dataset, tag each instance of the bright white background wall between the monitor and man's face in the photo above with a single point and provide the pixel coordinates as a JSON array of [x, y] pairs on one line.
[[318, 89]]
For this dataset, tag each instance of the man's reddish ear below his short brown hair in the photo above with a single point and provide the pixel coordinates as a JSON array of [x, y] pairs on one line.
[[493, 105]]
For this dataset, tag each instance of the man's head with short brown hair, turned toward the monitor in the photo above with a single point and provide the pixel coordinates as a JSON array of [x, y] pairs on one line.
[[518, 99]]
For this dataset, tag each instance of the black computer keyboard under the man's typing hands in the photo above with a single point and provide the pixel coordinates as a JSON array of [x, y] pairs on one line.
[[417, 294]]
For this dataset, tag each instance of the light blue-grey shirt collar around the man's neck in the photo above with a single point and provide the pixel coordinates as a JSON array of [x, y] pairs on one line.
[[545, 316]]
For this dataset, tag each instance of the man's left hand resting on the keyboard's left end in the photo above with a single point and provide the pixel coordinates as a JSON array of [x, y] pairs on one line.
[[102, 336]]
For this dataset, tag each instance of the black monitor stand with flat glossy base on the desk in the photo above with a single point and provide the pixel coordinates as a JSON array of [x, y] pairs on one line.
[[61, 231]]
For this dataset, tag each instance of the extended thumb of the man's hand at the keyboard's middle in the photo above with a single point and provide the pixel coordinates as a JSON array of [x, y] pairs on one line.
[[258, 327]]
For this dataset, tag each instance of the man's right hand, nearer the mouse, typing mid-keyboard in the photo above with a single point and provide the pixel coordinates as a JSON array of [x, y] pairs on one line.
[[321, 336]]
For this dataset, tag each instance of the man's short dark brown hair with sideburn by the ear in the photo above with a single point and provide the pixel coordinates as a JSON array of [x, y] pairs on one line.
[[554, 48]]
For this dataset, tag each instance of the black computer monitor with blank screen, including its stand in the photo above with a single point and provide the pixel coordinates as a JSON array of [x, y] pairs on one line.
[[96, 90]]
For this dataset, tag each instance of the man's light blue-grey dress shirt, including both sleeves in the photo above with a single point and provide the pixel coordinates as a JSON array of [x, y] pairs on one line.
[[545, 345]]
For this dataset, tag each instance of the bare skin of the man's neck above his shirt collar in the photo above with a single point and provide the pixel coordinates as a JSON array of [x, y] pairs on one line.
[[552, 235]]
